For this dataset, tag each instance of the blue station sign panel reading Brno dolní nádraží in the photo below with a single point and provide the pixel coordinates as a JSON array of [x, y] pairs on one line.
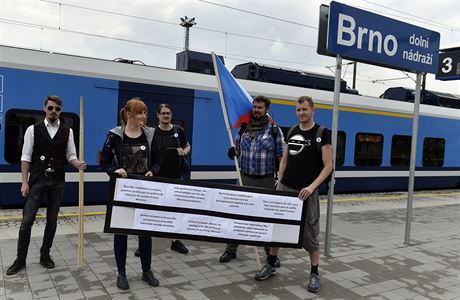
[[363, 36]]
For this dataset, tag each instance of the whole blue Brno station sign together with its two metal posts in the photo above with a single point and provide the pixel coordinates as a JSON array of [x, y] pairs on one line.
[[363, 36]]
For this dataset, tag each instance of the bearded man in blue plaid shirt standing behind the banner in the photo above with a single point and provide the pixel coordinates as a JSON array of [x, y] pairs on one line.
[[259, 146]]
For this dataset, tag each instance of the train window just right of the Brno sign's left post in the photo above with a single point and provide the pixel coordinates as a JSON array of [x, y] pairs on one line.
[[368, 149]]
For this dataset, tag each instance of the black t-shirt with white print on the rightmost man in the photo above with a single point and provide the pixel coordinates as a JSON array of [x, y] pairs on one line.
[[304, 161]]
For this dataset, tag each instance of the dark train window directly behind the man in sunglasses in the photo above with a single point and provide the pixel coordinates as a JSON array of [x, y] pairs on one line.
[[16, 123]]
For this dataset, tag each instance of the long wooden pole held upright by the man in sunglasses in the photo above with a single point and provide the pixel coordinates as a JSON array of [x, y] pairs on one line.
[[81, 207]]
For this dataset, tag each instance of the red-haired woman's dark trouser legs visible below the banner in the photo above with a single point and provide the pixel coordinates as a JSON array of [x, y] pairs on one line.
[[120, 243]]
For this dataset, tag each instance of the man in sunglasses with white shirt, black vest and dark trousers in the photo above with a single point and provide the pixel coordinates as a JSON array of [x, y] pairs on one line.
[[48, 145]]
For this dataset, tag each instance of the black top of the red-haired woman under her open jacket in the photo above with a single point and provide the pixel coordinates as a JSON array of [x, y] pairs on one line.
[[135, 154]]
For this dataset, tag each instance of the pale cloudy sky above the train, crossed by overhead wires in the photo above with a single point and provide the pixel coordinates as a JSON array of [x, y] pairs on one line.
[[270, 32]]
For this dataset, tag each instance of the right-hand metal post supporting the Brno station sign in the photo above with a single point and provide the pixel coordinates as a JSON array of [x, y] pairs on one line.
[[413, 151]]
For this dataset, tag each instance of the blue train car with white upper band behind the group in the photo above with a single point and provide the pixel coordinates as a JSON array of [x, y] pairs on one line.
[[373, 141]]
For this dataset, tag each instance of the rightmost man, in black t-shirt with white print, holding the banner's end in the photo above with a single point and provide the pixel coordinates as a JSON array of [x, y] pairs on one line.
[[306, 163]]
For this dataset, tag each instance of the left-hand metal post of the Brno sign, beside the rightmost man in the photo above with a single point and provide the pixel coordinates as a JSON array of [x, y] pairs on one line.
[[335, 126]]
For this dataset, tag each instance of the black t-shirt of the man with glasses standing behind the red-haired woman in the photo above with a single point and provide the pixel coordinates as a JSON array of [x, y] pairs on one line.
[[166, 142]]
